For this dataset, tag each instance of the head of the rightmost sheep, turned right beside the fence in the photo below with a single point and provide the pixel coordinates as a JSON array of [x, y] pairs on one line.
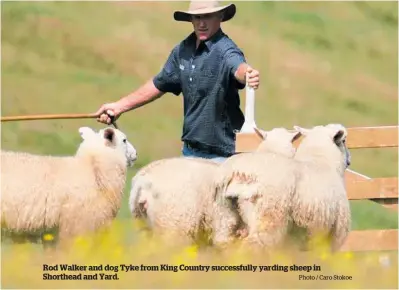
[[328, 141]]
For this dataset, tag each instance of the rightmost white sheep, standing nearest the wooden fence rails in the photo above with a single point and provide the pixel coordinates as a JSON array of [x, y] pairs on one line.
[[320, 203]]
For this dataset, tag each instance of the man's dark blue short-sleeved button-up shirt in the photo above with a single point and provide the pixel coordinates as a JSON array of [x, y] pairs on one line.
[[205, 76]]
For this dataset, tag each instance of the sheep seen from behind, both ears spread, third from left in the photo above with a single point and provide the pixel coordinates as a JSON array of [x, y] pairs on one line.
[[262, 183]]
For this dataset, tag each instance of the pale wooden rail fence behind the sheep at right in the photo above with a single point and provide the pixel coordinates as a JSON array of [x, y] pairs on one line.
[[381, 190]]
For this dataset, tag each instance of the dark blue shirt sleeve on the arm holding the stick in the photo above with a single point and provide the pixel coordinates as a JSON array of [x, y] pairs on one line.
[[168, 79]]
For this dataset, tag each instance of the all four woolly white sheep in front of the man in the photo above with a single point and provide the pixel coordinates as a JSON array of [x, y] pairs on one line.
[[255, 198]]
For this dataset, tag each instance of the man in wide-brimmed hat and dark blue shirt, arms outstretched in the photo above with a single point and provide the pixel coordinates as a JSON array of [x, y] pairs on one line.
[[209, 69]]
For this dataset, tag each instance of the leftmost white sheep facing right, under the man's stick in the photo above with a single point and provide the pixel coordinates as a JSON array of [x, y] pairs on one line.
[[75, 194]]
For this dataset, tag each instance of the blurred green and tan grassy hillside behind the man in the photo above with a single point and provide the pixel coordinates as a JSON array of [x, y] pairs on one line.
[[320, 62]]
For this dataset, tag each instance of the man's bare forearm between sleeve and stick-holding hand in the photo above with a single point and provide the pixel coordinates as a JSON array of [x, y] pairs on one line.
[[144, 95]]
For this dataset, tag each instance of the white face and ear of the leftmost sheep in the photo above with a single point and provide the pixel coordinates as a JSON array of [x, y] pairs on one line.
[[113, 138]]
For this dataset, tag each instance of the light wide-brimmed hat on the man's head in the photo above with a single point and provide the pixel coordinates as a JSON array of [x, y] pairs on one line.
[[205, 7]]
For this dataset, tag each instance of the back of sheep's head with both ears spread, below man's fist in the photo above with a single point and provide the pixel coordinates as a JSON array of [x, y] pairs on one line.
[[278, 140]]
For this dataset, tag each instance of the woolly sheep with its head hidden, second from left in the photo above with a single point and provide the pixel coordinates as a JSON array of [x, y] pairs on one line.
[[175, 197]]
